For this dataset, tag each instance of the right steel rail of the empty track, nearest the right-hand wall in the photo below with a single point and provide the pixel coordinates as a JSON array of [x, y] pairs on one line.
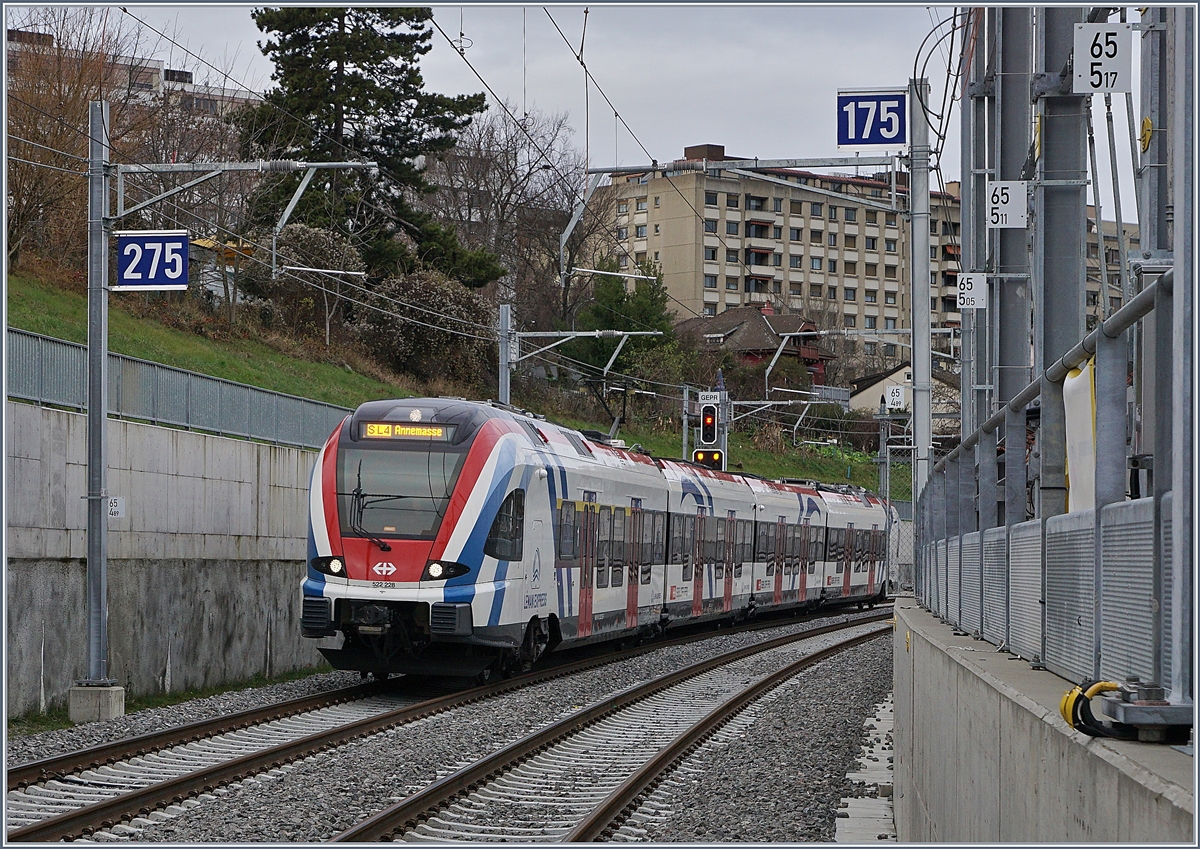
[[602, 821]]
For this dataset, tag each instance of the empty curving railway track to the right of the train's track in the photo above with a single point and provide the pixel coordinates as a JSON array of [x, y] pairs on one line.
[[575, 780]]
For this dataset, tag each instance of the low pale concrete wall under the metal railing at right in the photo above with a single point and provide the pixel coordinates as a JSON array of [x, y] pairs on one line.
[[983, 756]]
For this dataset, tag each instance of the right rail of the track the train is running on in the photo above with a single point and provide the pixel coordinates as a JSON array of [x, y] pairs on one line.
[[86, 821]]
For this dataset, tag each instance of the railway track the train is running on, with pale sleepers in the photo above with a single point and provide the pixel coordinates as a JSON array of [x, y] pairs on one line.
[[77, 794]]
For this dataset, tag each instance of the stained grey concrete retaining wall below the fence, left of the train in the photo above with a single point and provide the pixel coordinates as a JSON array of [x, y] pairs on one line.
[[203, 571]]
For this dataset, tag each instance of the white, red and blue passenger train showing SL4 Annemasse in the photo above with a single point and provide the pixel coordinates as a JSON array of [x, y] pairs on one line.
[[457, 538]]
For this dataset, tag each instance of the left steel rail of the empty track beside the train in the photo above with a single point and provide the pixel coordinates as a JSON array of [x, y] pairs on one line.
[[422, 805]]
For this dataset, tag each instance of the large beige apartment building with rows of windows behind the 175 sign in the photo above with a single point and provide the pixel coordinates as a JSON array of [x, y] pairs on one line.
[[833, 248]]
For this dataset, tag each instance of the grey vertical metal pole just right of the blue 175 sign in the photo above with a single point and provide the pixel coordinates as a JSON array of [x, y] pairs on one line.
[[919, 196]]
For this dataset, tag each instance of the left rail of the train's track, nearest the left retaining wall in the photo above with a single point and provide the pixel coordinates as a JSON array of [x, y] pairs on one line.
[[33, 773]]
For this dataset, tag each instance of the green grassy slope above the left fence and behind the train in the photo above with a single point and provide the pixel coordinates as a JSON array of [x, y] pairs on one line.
[[63, 315]]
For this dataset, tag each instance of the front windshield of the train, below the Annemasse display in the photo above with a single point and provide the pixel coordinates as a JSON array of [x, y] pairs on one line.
[[386, 492]]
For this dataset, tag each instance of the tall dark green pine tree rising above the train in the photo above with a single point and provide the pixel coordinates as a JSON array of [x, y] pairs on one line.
[[350, 87]]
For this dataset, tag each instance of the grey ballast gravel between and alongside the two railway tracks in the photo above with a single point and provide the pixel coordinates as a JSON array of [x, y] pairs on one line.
[[323, 796]]
